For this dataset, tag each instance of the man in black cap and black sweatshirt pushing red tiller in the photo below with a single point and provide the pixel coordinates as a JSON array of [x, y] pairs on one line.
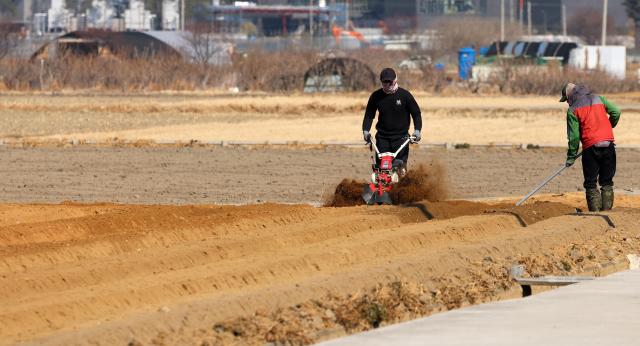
[[395, 106]]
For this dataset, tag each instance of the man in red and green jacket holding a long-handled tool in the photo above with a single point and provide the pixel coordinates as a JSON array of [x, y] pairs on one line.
[[590, 120]]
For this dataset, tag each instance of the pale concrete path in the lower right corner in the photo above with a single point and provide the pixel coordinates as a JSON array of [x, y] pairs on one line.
[[605, 311]]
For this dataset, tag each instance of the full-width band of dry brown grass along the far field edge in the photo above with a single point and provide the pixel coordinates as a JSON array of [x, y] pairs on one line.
[[260, 71]]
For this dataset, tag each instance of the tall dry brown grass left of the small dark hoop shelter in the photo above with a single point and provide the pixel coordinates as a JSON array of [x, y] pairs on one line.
[[277, 72]]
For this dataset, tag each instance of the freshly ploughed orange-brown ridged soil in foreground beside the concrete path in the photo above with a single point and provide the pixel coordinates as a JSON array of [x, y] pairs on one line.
[[151, 274]]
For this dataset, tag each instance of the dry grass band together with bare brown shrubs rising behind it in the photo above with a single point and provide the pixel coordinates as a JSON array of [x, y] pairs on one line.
[[284, 72]]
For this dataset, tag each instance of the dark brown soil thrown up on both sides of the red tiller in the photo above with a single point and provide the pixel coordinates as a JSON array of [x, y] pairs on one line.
[[426, 182]]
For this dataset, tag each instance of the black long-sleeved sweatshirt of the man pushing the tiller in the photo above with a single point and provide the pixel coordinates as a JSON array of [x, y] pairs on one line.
[[395, 110]]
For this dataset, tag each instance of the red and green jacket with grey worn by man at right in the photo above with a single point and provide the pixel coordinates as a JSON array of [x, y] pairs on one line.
[[590, 119]]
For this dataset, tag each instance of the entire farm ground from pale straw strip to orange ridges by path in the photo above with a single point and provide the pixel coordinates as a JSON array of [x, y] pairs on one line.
[[206, 245]]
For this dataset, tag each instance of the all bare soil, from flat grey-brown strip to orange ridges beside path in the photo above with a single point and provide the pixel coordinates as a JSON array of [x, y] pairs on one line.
[[201, 274]]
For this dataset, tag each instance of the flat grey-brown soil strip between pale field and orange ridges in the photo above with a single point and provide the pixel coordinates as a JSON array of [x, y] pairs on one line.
[[218, 175]]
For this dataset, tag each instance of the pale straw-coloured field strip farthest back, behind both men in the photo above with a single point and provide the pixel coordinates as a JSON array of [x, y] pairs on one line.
[[185, 117]]
